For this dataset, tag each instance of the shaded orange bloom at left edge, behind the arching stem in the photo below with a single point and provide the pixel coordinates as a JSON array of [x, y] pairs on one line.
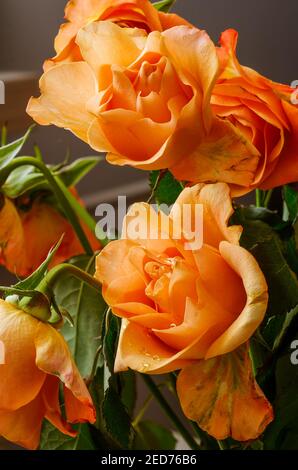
[[28, 233]]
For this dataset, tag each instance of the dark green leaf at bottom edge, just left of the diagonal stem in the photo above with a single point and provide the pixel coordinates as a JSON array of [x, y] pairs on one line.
[[153, 436]]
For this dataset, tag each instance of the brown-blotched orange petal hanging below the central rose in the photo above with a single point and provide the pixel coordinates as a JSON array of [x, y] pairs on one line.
[[222, 396]]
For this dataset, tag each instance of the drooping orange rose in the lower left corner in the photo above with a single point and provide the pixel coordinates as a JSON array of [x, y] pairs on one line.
[[36, 360]]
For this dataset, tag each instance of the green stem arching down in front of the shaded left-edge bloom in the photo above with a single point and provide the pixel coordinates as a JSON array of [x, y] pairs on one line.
[[55, 185]]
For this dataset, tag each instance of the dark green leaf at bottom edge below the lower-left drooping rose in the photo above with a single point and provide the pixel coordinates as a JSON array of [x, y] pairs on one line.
[[52, 439]]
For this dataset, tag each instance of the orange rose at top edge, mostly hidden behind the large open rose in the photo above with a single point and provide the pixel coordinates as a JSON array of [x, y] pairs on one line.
[[129, 13]]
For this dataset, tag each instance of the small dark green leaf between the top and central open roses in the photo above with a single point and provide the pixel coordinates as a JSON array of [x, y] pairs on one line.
[[165, 189]]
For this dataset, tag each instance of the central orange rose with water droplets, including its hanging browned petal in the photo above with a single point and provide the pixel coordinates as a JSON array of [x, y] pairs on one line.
[[193, 310]]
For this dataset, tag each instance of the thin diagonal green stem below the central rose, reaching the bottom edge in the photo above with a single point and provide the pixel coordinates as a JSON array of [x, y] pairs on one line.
[[170, 413]]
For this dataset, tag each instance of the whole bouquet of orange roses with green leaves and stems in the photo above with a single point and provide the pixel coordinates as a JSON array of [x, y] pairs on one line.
[[198, 287]]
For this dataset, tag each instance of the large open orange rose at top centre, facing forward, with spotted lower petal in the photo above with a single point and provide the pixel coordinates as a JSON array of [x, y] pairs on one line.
[[145, 99]]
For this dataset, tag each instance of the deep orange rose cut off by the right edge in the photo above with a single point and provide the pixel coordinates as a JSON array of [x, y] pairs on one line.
[[263, 113]]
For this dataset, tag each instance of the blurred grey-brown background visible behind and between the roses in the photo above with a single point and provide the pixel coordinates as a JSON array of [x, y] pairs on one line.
[[268, 42]]
